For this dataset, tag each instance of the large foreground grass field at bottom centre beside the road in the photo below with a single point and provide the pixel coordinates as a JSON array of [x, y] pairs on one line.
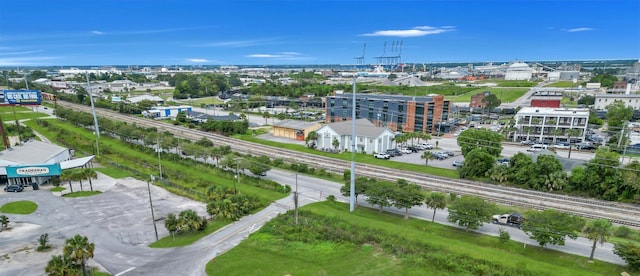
[[429, 249]]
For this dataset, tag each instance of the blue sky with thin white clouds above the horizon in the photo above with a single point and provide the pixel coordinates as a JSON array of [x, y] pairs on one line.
[[171, 32]]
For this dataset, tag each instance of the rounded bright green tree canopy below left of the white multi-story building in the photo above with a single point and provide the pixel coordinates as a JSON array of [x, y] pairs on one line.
[[474, 138]]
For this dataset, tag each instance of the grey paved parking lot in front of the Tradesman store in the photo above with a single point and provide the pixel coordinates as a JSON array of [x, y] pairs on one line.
[[117, 221]]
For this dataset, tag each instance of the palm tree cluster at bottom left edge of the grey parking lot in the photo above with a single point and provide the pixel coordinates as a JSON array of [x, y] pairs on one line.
[[73, 261]]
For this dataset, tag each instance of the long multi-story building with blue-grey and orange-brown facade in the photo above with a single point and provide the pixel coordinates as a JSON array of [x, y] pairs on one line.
[[398, 113]]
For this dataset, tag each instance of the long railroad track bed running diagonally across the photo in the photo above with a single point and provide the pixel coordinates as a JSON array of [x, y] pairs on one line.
[[624, 214]]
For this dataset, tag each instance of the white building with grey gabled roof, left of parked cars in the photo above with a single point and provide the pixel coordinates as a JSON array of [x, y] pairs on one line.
[[369, 138]]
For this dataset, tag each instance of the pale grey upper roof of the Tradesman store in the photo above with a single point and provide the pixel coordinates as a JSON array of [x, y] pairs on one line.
[[32, 152]]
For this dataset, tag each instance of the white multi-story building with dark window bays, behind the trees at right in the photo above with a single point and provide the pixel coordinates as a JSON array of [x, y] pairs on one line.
[[550, 125]]
